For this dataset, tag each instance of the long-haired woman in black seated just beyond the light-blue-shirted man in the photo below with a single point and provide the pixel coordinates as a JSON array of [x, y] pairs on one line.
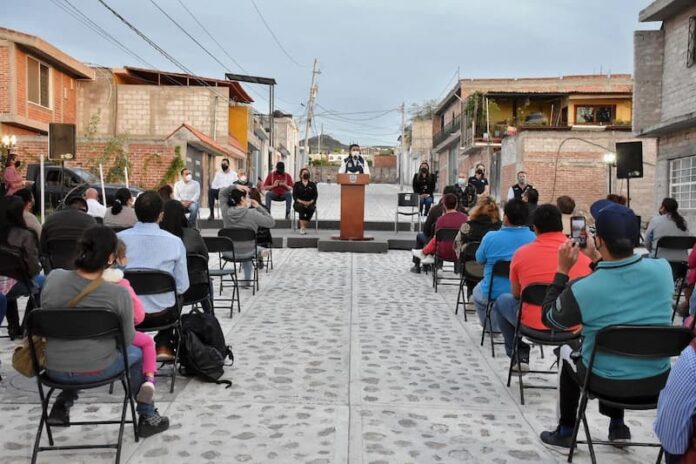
[[174, 221]]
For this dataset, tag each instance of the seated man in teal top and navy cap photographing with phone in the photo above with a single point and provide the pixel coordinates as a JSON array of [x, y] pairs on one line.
[[623, 289]]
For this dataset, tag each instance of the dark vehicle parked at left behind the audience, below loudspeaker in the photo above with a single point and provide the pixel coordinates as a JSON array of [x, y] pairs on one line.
[[61, 183]]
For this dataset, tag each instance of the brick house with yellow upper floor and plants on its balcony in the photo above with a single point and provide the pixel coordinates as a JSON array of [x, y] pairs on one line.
[[555, 129]]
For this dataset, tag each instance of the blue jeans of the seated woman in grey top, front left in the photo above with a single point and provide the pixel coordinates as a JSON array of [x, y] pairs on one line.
[[135, 362]]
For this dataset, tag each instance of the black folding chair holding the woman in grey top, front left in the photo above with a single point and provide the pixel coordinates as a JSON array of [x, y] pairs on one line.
[[70, 325]]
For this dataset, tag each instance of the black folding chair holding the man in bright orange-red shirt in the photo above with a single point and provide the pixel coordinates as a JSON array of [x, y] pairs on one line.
[[533, 294]]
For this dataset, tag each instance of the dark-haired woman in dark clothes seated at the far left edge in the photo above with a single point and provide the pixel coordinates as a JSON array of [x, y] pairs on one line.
[[15, 235]]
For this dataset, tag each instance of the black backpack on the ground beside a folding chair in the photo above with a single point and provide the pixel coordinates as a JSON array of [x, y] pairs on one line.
[[203, 350]]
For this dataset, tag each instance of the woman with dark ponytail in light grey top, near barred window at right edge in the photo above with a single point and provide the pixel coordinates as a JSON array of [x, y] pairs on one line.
[[668, 223]]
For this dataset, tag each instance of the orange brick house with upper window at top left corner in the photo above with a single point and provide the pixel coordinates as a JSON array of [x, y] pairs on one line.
[[38, 86]]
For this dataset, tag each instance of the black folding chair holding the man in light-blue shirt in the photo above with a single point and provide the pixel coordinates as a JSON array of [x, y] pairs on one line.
[[156, 282]]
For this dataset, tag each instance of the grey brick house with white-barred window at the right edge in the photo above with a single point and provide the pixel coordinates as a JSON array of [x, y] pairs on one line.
[[665, 98]]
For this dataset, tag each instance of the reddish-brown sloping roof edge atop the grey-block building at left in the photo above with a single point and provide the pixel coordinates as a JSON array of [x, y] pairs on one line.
[[157, 77]]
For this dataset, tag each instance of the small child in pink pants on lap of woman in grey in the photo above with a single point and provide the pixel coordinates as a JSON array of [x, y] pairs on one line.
[[141, 340]]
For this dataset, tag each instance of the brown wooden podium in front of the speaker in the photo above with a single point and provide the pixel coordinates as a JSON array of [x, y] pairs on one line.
[[353, 206]]
